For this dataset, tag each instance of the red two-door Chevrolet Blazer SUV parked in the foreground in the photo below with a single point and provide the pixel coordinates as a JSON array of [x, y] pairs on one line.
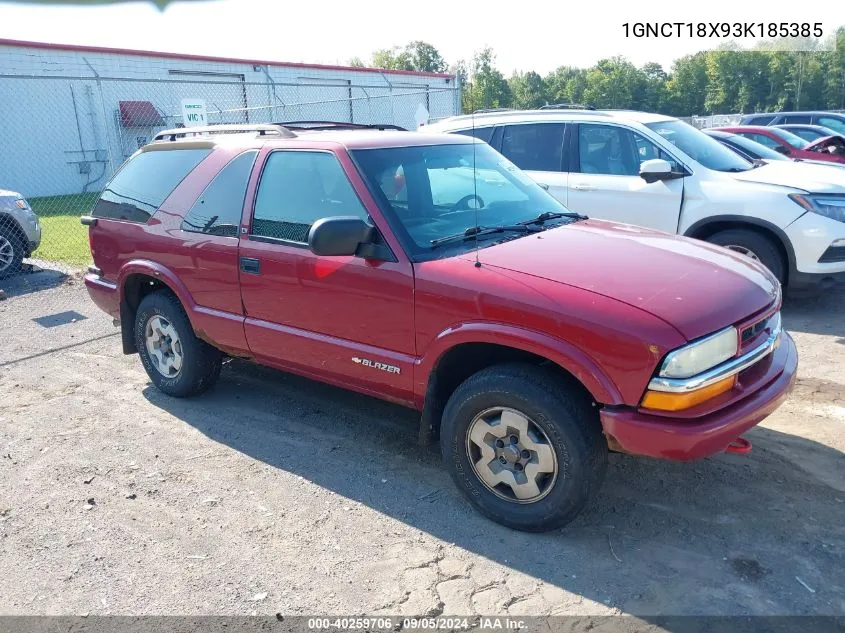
[[427, 270]]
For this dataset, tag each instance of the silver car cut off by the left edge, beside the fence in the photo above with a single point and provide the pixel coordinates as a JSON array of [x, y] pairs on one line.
[[20, 232]]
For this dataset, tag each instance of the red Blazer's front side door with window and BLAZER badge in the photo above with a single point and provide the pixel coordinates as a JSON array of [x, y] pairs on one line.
[[346, 320]]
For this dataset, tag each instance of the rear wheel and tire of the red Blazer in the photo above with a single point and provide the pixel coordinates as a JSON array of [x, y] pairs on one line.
[[198, 362]]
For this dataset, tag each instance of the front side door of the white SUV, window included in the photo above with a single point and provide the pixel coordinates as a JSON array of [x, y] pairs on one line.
[[605, 179]]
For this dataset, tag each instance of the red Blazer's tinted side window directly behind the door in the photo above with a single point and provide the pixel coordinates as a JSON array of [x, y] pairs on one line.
[[218, 209]]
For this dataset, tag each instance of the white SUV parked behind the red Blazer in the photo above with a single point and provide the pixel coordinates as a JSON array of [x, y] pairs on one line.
[[659, 172]]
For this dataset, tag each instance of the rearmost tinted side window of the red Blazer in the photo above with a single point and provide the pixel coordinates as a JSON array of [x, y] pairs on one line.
[[143, 183]]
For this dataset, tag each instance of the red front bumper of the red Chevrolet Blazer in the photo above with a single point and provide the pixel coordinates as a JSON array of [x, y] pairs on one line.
[[684, 440]]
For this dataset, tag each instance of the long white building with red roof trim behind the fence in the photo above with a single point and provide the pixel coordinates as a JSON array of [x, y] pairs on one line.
[[72, 114]]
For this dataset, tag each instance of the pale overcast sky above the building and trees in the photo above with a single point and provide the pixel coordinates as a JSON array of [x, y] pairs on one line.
[[525, 36]]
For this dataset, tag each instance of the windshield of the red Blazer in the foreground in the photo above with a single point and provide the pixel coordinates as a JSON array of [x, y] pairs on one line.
[[433, 191]]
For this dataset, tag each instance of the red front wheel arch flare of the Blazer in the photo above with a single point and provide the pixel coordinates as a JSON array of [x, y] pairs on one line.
[[461, 352]]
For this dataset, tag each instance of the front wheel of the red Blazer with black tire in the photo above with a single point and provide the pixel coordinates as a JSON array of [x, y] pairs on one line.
[[570, 429]]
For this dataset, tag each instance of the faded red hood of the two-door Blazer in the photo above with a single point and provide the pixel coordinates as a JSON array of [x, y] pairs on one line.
[[696, 287]]
